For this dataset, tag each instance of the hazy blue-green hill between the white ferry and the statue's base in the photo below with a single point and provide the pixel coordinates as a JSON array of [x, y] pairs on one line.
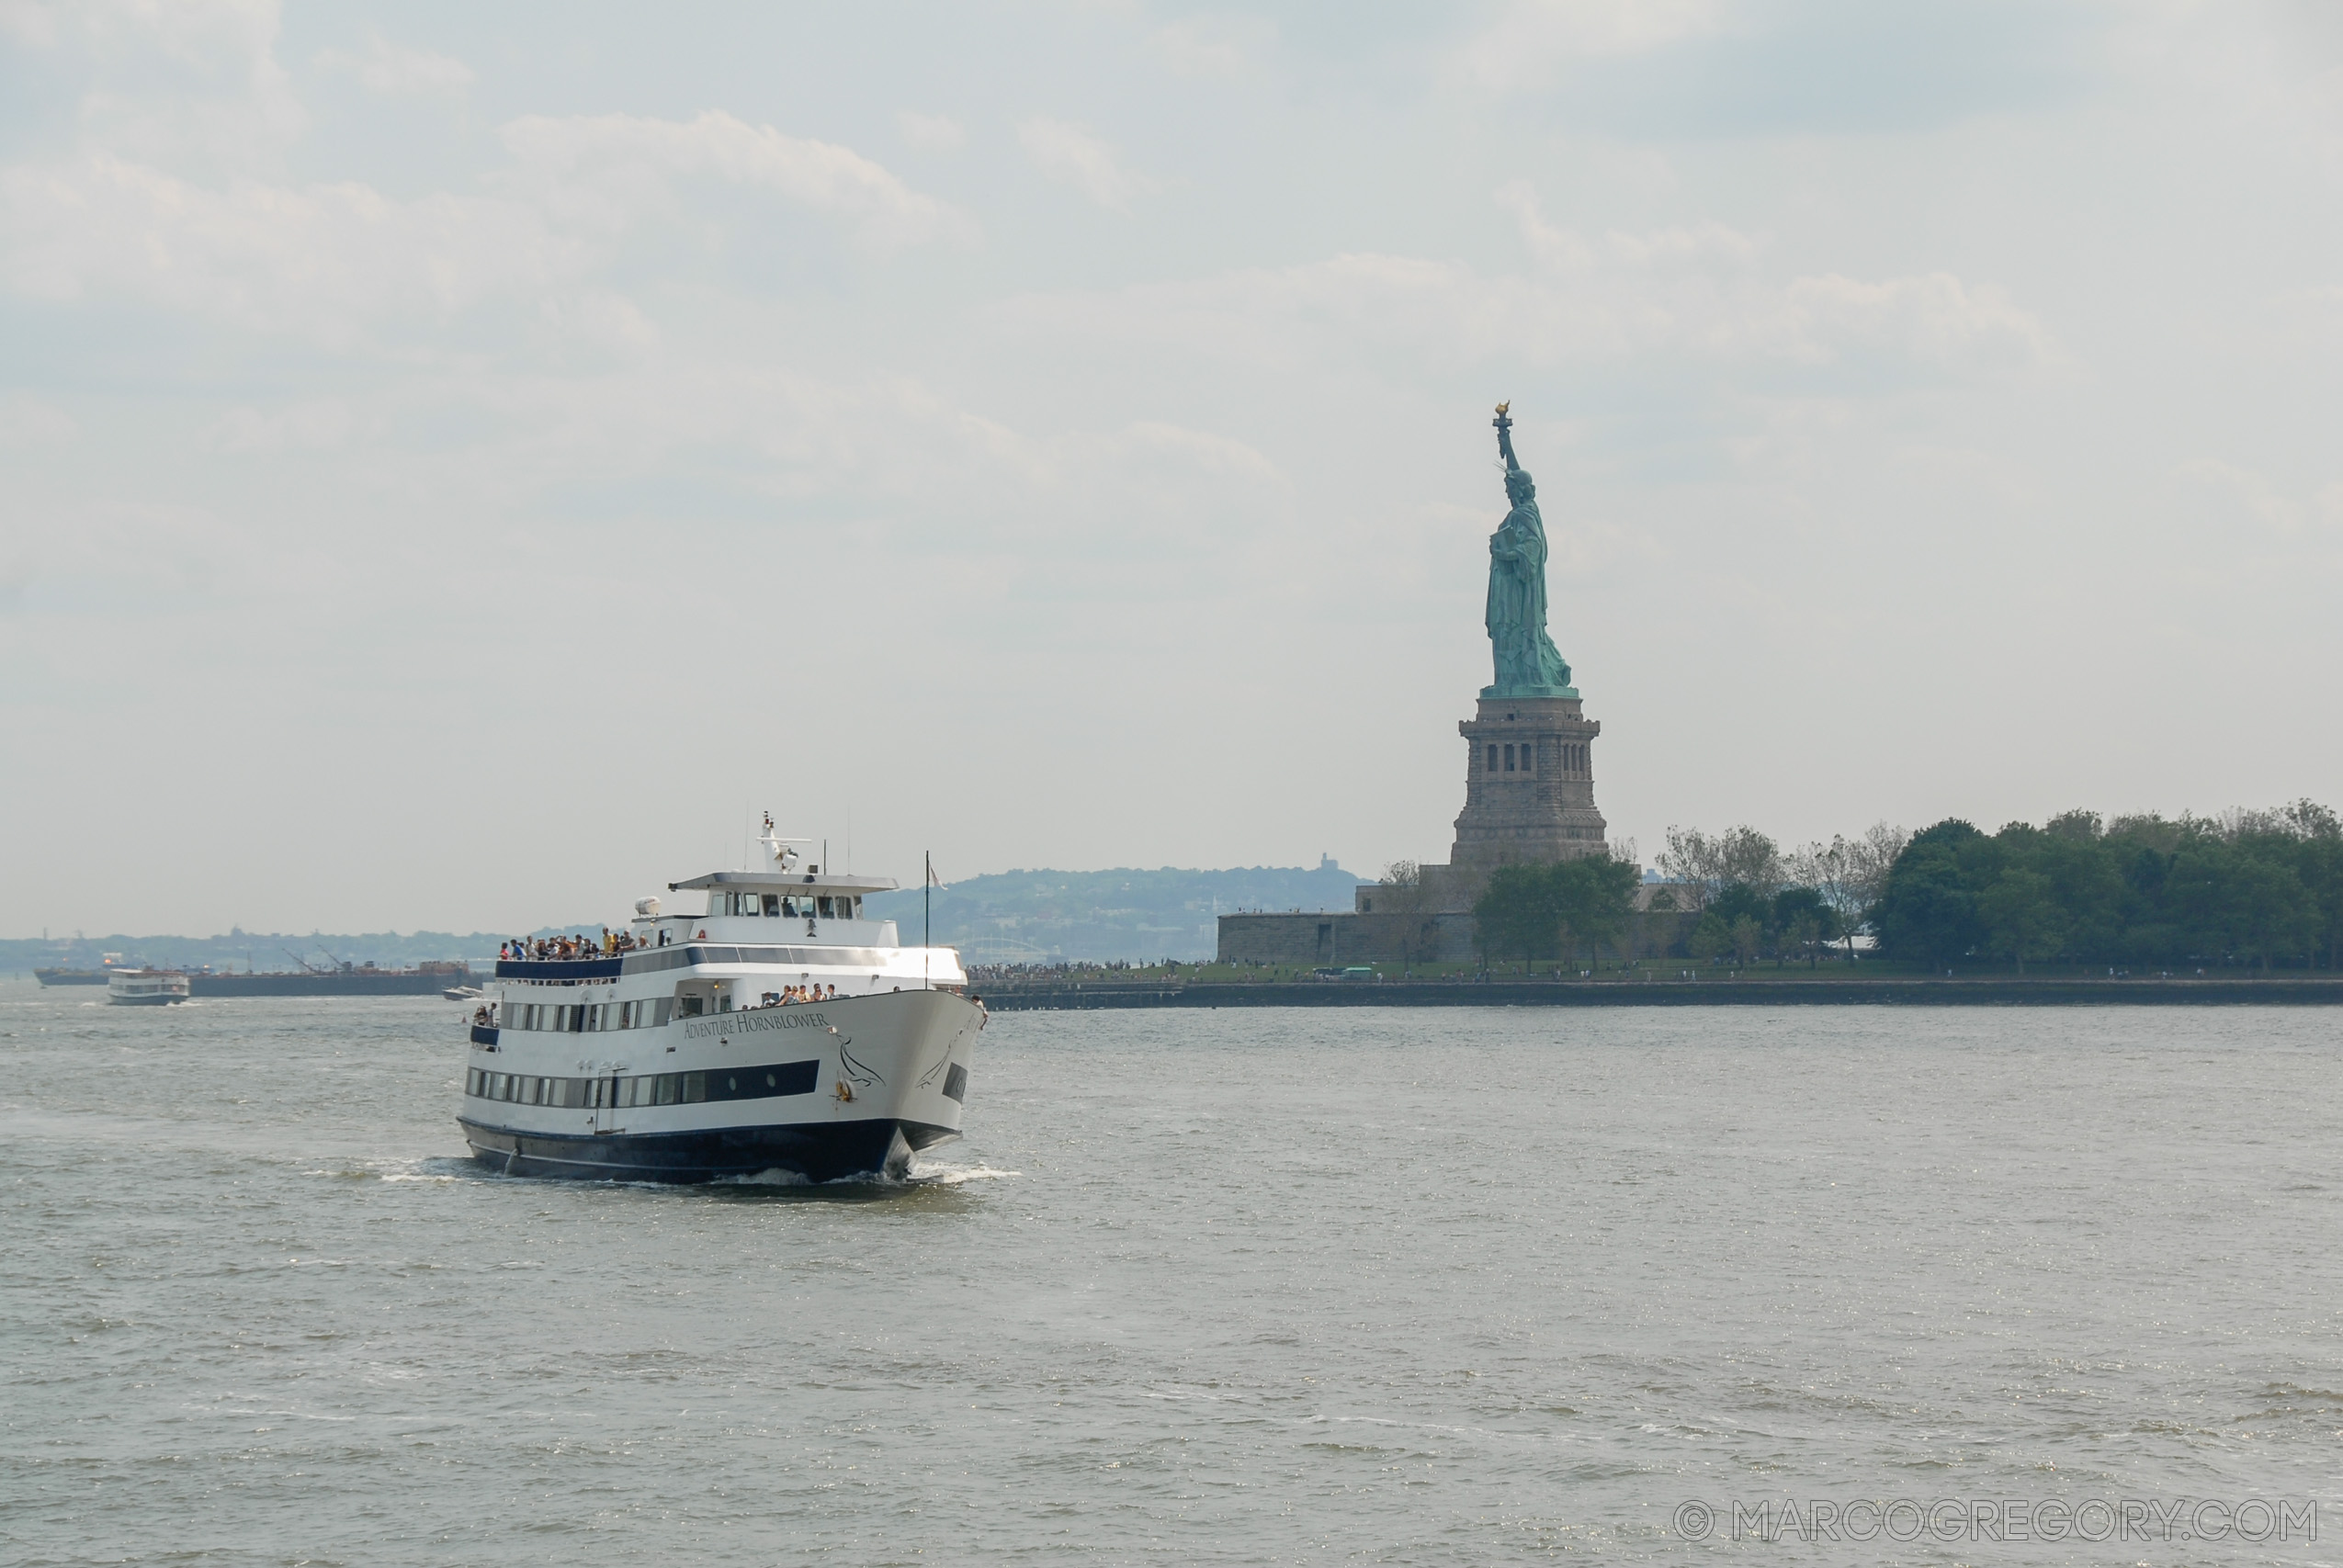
[[1039, 918]]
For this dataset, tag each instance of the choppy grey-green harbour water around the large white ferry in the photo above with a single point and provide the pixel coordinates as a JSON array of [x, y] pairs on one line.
[[1201, 1288]]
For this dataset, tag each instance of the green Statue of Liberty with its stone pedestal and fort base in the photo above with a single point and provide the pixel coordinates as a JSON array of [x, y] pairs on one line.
[[1529, 777]]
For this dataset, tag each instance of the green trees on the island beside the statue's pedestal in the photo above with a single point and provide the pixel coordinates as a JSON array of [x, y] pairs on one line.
[[2131, 892]]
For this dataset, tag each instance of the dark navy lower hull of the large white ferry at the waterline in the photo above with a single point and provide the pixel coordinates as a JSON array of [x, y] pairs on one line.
[[819, 1152]]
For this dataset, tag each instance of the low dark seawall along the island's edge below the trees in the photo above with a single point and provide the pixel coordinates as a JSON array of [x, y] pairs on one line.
[[1091, 995]]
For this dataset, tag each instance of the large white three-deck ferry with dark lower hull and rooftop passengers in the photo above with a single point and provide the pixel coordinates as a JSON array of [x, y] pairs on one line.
[[779, 1030]]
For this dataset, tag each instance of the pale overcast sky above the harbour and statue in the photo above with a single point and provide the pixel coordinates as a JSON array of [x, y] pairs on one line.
[[463, 461]]
